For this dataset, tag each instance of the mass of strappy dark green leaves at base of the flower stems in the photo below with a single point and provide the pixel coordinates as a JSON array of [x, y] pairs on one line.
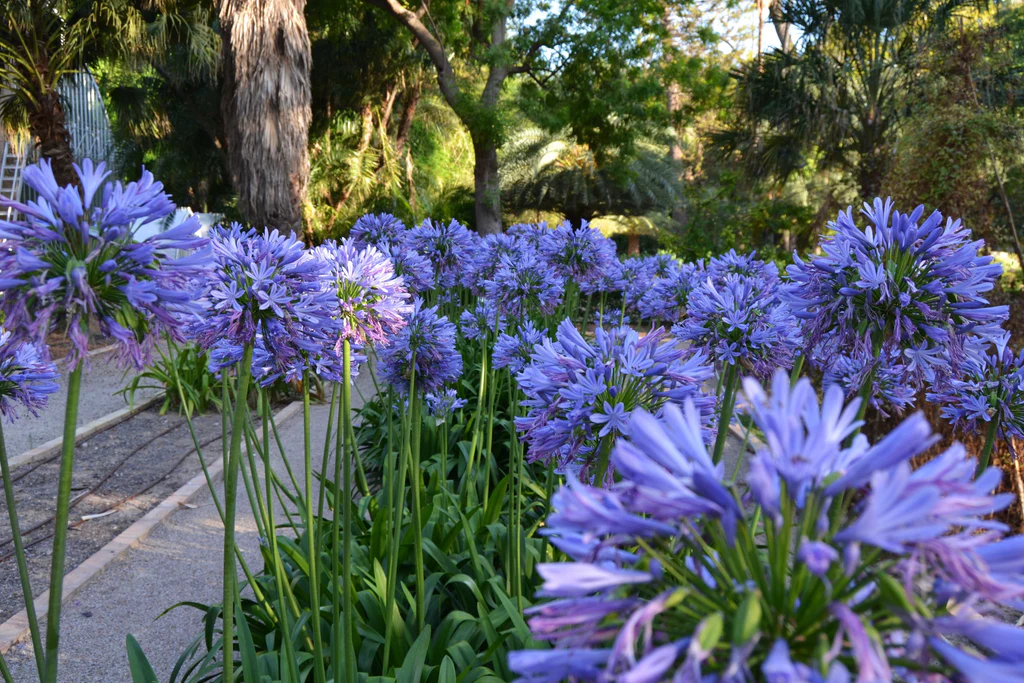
[[472, 622]]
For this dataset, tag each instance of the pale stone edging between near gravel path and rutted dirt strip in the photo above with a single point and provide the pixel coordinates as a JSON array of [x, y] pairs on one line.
[[17, 628]]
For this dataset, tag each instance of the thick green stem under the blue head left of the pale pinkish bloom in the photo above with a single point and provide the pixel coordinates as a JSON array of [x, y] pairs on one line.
[[232, 466]]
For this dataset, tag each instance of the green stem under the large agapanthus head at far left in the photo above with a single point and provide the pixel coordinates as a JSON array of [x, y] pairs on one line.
[[61, 527]]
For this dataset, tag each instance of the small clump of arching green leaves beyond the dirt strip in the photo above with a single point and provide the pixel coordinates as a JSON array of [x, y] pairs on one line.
[[182, 371]]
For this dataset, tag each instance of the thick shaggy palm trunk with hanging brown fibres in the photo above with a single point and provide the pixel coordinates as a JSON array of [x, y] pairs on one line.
[[267, 109]]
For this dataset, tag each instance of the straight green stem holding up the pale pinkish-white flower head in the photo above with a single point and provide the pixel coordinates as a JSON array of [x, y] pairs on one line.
[[350, 454]]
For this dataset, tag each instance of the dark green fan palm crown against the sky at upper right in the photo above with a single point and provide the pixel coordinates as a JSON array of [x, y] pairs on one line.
[[840, 97]]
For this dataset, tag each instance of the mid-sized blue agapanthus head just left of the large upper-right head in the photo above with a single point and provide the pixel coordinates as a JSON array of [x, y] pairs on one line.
[[742, 321]]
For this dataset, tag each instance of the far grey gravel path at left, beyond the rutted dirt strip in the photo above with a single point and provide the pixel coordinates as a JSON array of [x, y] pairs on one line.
[[101, 382]]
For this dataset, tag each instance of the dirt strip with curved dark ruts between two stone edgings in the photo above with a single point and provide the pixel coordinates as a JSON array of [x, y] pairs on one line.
[[124, 472]]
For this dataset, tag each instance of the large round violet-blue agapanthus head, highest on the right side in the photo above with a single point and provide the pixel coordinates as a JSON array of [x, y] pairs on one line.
[[912, 288]]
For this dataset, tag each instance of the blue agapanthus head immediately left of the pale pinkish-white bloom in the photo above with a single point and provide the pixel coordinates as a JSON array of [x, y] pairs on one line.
[[268, 288]]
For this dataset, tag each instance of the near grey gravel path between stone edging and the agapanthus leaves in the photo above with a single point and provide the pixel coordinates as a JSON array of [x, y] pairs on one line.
[[181, 561]]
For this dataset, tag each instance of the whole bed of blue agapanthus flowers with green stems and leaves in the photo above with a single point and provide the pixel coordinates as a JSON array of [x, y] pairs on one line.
[[549, 498]]
